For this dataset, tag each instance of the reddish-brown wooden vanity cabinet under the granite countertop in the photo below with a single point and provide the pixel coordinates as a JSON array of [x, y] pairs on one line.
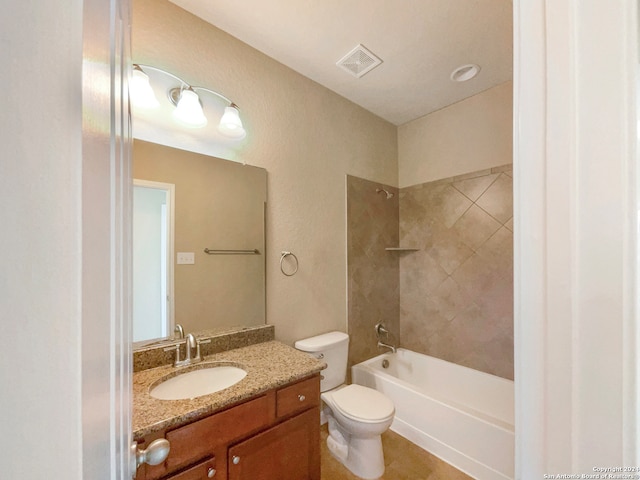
[[275, 436]]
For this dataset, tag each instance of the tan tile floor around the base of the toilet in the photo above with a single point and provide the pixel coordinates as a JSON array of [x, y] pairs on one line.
[[403, 461]]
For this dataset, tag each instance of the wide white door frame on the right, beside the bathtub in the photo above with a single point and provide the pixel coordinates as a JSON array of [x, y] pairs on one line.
[[575, 241]]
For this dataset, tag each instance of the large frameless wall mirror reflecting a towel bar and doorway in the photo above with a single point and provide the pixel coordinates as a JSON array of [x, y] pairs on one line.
[[199, 242]]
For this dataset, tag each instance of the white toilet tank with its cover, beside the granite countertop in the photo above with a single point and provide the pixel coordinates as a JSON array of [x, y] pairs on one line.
[[332, 348]]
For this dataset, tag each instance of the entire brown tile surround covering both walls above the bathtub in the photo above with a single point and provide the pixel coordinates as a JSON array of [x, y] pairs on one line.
[[455, 293]]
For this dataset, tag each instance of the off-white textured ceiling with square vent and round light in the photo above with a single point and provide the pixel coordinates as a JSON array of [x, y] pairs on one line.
[[420, 42]]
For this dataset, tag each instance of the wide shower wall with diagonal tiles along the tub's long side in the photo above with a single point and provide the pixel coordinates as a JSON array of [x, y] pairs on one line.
[[456, 300]]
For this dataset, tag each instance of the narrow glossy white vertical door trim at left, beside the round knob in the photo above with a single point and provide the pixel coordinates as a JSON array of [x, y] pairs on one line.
[[106, 241]]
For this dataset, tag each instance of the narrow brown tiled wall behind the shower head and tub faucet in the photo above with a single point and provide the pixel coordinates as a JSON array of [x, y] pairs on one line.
[[373, 273]]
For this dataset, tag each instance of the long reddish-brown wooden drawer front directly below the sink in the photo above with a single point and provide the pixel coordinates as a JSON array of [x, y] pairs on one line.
[[198, 439]]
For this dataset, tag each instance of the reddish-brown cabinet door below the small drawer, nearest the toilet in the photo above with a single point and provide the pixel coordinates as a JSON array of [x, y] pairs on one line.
[[288, 451]]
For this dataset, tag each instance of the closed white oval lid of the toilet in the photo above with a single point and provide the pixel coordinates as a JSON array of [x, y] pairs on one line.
[[363, 403]]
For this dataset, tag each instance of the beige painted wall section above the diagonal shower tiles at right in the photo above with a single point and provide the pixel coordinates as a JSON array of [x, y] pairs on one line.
[[474, 134]]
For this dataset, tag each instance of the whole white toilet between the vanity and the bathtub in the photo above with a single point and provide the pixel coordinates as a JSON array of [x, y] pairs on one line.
[[357, 415]]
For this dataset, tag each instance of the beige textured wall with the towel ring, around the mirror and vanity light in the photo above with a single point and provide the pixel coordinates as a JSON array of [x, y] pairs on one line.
[[306, 155]]
